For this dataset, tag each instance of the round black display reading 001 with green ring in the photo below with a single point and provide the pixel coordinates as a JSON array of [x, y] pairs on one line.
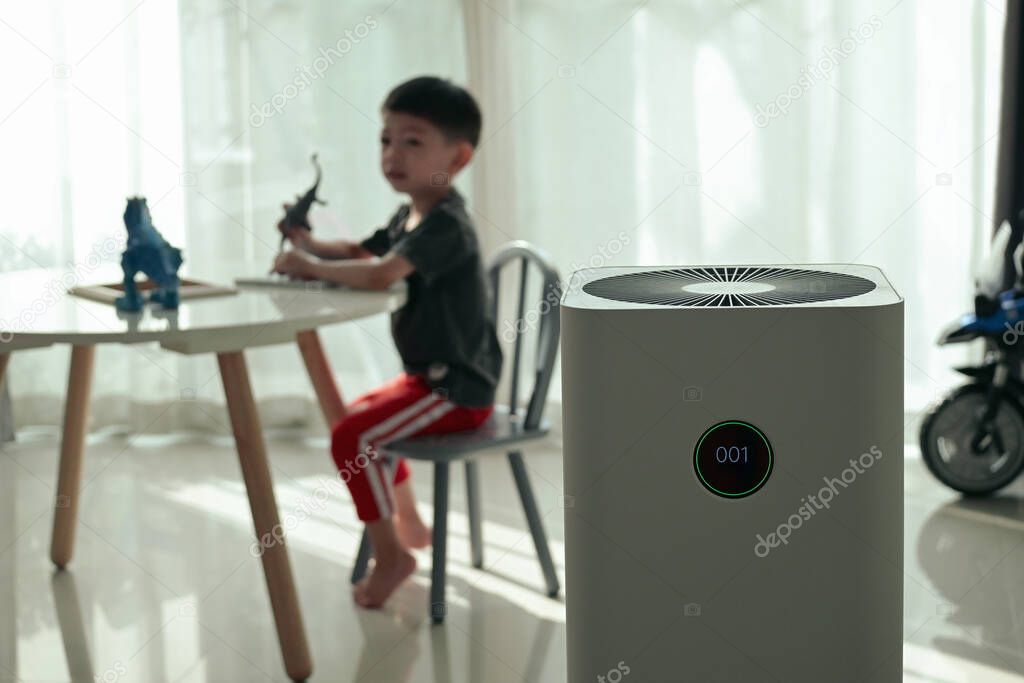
[[734, 459]]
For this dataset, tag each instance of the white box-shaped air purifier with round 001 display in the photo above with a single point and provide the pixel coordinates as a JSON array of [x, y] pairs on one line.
[[734, 462]]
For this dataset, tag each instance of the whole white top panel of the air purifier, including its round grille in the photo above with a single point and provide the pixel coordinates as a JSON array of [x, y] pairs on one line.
[[731, 287]]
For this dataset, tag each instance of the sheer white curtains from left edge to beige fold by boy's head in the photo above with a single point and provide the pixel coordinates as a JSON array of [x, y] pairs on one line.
[[163, 100]]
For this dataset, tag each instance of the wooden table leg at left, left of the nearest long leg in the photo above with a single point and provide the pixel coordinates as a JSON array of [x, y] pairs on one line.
[[72, 446]]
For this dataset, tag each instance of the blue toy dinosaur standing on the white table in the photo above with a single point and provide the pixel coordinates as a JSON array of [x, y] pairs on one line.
[[150, 253]]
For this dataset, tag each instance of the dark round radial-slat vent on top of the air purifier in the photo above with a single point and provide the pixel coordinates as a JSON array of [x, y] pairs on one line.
[[730, 287]]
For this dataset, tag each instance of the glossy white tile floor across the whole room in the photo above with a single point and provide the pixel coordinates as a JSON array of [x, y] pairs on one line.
[[163, 587]]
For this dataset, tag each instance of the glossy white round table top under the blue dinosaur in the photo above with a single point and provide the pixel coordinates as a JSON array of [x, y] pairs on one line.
[[37, 311]]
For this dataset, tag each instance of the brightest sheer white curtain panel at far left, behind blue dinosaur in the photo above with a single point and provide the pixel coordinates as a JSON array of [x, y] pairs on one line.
[[91, 114]]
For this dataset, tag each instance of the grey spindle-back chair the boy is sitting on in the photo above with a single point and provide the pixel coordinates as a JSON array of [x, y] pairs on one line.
[[507, 430]]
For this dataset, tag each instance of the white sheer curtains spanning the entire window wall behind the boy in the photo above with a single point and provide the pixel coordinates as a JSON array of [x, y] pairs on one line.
[[617, 133]]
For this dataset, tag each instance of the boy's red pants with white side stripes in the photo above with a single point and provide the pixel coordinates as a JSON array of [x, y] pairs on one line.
[[405, 407]]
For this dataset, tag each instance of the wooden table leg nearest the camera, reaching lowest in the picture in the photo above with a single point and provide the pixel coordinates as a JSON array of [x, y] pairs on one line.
[[257, 473]]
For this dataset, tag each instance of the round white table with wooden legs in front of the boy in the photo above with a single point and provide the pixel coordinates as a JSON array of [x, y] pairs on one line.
[[35, 312]]
